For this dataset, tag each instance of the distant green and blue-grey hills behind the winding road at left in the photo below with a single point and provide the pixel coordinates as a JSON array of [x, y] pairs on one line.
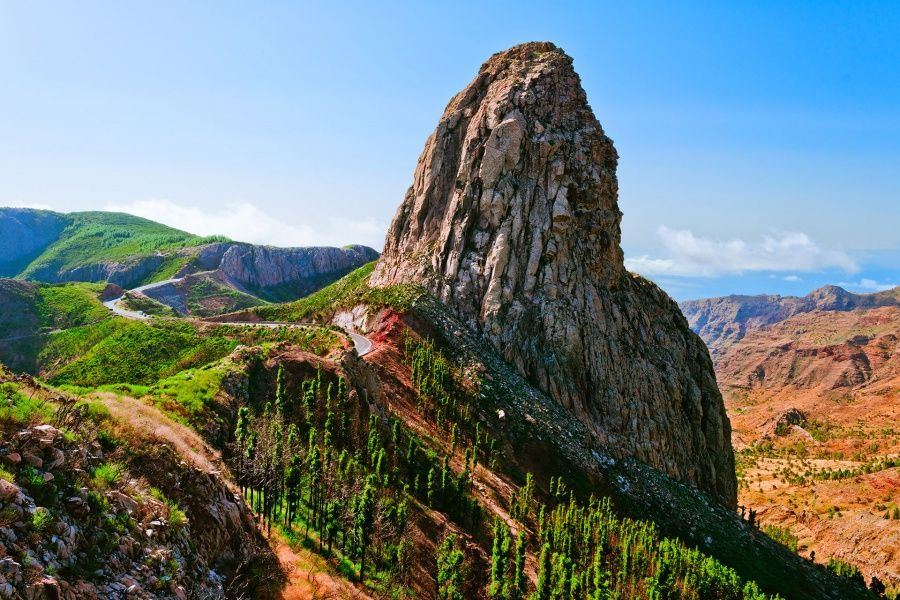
[[128, 251]]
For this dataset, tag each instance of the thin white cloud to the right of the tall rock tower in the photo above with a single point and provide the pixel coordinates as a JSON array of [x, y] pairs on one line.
[[689, 255]]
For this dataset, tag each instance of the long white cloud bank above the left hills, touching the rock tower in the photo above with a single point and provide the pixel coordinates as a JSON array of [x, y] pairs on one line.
[[247, 223]]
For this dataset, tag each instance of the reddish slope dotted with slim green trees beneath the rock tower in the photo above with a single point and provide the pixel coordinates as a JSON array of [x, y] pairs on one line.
[[395, 418]]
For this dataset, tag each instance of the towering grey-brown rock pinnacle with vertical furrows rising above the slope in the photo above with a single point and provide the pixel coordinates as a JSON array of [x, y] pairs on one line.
[[512, 220]]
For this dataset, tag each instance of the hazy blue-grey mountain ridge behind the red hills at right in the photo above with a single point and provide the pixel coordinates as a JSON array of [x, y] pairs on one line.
[[725, 320]]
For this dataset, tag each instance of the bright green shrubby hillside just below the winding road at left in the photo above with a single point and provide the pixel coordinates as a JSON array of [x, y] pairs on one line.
[[64, 334]]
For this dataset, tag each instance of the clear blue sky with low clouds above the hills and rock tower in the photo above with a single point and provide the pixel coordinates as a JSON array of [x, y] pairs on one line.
[[759, 143]]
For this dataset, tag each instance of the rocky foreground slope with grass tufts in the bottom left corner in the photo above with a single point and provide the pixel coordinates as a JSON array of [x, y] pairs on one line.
[[95, 506]]
